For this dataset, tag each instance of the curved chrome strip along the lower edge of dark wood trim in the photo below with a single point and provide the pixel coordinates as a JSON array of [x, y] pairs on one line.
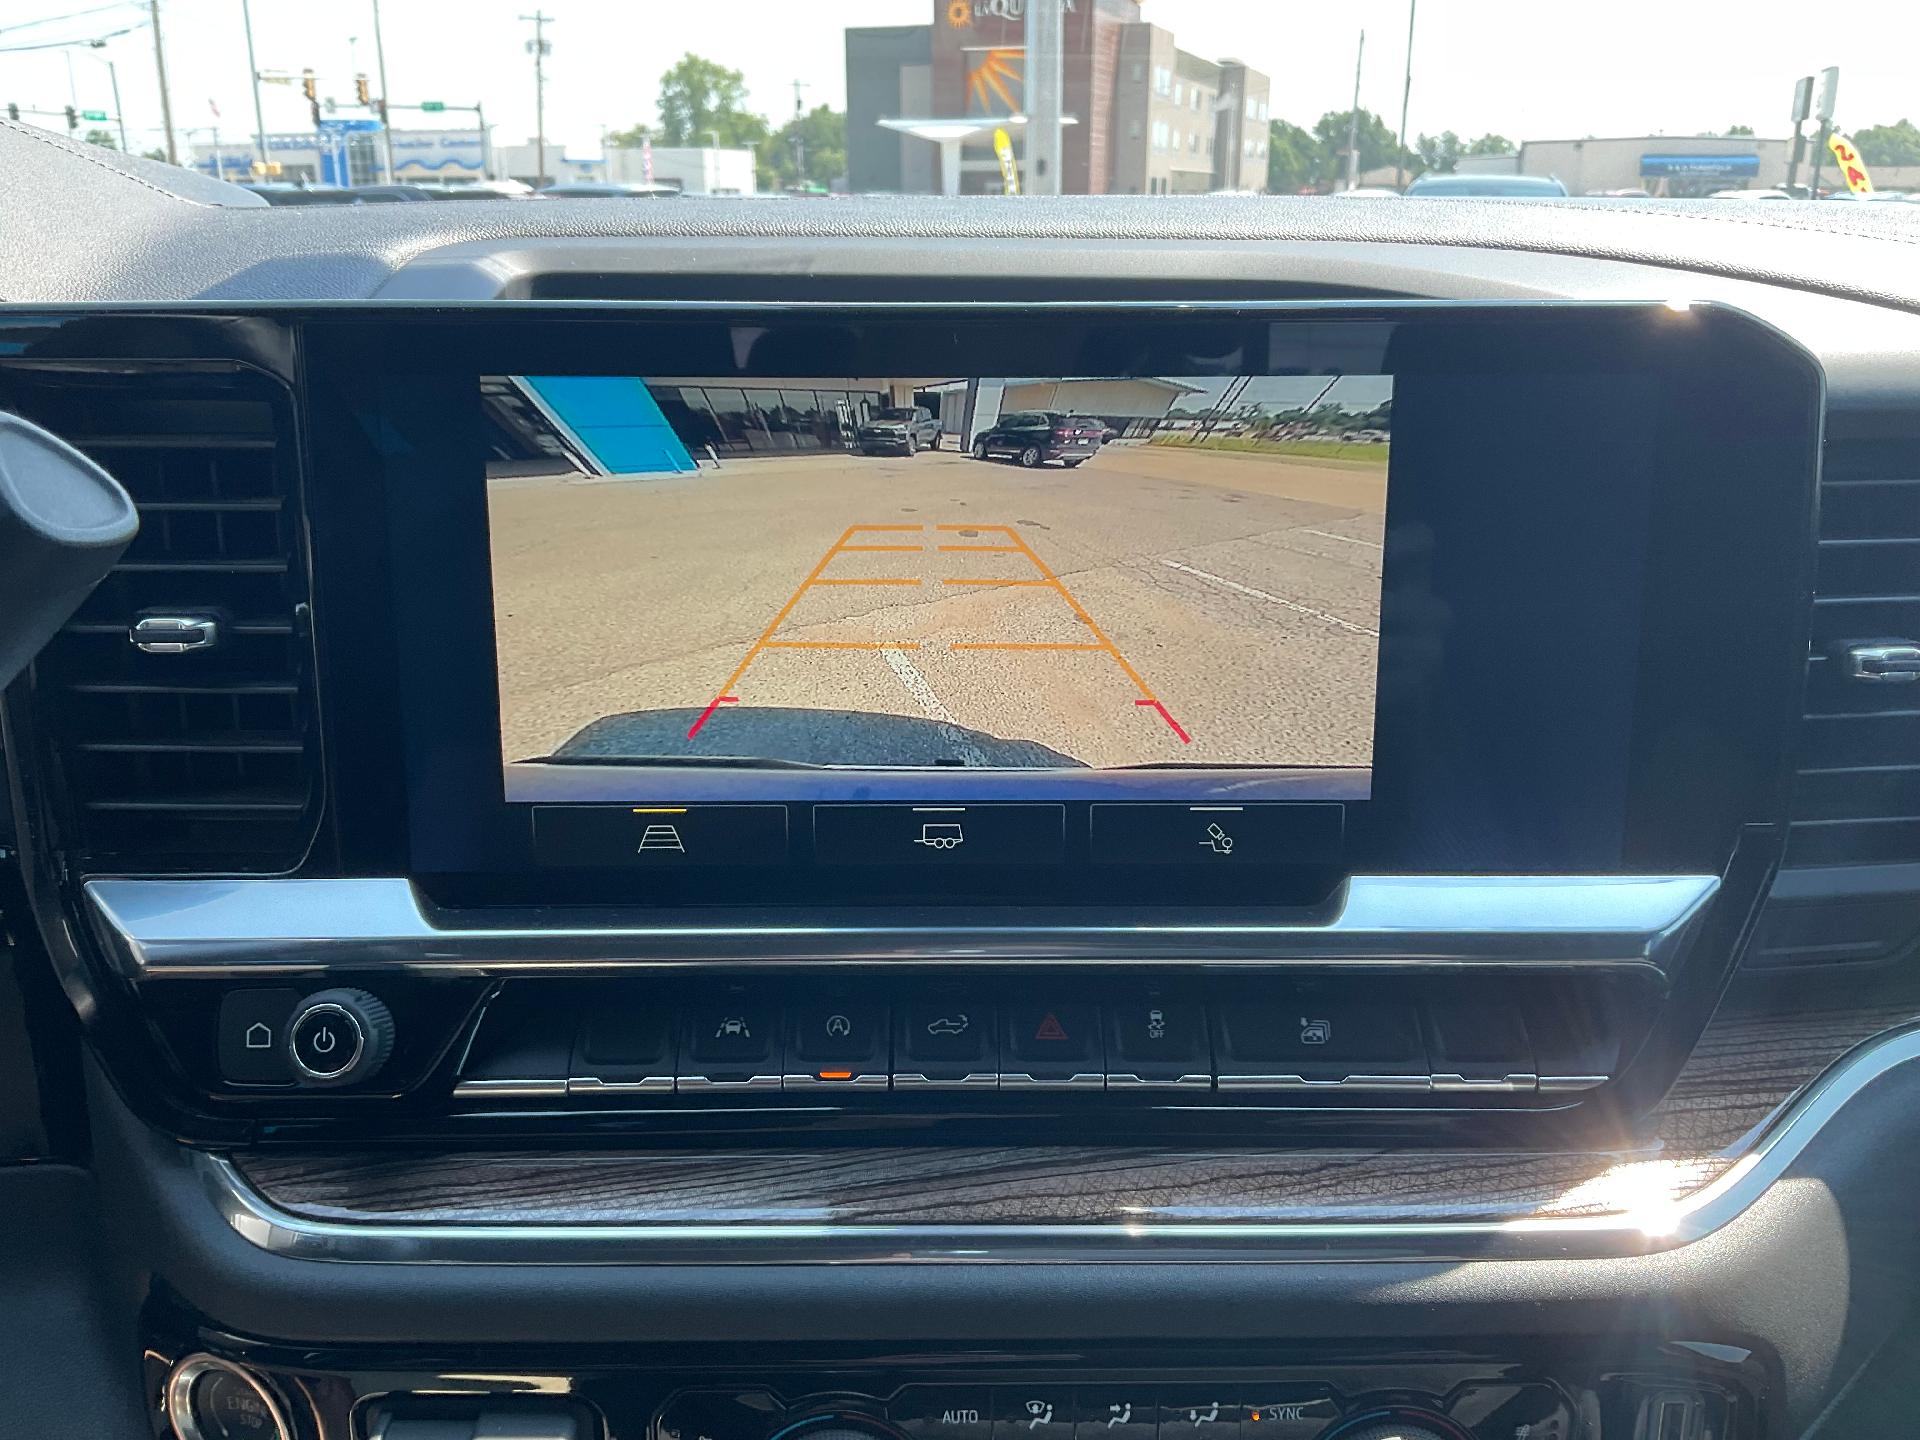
[[1646, 1230]]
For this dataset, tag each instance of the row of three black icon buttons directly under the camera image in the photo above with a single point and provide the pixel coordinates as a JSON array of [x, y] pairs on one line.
[[690, 836]]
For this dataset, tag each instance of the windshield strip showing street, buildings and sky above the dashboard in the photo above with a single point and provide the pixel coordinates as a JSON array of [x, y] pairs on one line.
[[978, 97]]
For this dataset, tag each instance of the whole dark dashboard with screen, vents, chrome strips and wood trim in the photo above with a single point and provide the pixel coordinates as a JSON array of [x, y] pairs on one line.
[[752, 830]]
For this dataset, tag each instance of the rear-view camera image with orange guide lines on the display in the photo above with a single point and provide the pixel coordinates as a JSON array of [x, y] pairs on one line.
[[936, 573]]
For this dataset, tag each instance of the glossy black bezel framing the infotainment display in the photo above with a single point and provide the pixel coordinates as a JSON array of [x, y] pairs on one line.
[[1714, 700]]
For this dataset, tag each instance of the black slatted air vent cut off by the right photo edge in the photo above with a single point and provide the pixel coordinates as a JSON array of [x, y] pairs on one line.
[[1858, 796]]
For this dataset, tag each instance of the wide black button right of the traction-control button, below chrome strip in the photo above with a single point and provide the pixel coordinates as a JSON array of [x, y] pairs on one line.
[[1289, 1040]]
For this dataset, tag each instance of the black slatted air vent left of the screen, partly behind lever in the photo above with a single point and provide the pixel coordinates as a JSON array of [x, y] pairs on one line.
[[195, 748]]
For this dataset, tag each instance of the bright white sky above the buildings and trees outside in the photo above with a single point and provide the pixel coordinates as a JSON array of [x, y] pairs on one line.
[[1531, 70]]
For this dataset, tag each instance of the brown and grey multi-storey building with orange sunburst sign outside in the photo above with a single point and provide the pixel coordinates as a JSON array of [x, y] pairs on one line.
[[1141, 116]]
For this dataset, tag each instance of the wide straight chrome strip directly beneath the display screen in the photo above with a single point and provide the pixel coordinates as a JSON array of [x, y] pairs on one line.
[[291, 926]]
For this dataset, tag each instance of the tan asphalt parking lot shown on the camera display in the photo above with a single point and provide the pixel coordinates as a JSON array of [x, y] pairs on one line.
[[1153, 606]]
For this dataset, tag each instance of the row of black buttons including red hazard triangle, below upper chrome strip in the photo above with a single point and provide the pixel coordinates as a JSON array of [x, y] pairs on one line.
[[627, 1042]]
